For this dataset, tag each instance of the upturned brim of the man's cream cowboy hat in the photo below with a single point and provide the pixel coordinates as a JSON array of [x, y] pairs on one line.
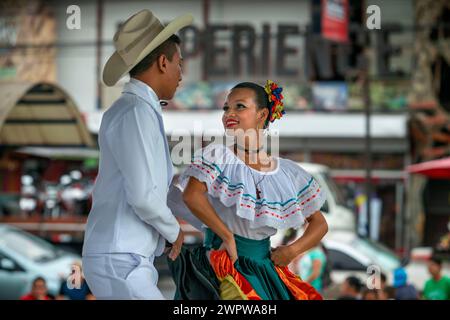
[[115, 68]]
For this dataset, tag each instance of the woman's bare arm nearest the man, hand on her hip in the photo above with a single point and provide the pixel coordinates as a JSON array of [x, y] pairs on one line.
[[195, 198]]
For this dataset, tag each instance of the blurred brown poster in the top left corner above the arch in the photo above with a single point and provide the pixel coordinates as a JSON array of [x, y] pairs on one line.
[[27, 36]]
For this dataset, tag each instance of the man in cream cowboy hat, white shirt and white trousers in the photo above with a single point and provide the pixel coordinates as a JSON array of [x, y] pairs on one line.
[[130, 222]]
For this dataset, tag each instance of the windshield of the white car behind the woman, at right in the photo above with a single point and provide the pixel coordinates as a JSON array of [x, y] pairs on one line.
[[378, 253]]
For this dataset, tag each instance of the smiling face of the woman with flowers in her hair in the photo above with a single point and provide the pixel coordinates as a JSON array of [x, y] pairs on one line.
[[241, 111]]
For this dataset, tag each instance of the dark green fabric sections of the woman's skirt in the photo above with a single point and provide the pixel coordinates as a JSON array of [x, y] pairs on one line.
[[192, 270]]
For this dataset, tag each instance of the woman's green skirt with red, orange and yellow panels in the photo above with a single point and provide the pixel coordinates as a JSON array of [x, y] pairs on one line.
[[252, 277]]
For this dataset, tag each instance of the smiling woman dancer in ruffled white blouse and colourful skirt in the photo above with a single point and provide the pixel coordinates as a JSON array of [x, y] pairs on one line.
[[243, 195]]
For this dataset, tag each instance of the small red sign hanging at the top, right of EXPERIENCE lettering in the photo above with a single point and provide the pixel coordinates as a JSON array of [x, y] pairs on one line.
[[335, 20]]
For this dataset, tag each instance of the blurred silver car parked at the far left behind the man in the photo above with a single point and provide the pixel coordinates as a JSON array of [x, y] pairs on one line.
[[23, 257]]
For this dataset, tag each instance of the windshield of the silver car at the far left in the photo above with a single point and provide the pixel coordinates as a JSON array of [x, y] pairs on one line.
[[28, 246]]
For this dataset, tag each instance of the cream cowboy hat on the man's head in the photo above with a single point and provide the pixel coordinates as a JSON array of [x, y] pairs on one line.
[[136, 38]]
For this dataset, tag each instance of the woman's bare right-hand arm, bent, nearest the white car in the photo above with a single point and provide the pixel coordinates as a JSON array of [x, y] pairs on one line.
[[315, 231]]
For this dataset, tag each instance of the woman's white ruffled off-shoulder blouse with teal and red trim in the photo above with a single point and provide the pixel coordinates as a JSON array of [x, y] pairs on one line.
[[288, 194]]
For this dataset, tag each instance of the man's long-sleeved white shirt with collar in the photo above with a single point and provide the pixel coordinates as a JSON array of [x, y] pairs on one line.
[[129, 211]]
